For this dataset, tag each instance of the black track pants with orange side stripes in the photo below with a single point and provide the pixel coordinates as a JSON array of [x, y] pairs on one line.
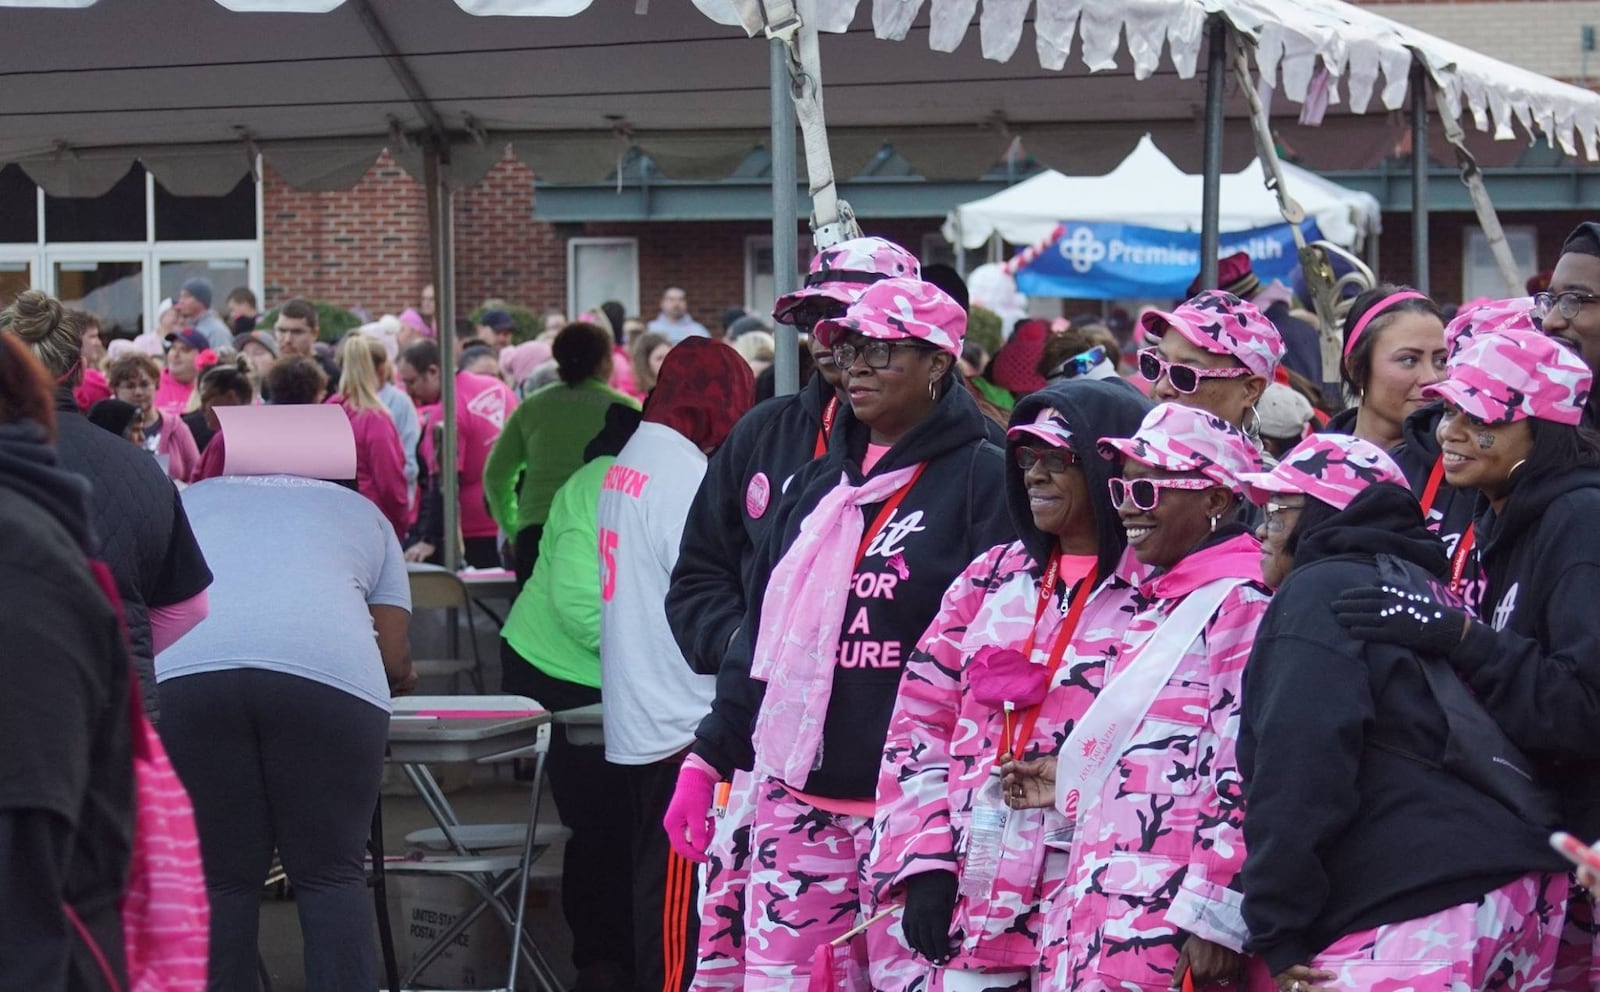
[[666, 898]]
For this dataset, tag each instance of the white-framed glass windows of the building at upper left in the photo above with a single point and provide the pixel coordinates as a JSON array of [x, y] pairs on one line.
[[119, 255]]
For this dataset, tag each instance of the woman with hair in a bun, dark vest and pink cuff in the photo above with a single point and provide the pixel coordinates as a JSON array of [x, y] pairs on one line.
[[145, 534]]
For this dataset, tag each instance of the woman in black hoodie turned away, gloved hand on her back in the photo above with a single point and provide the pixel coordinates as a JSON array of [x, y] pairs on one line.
[[1346, 753]]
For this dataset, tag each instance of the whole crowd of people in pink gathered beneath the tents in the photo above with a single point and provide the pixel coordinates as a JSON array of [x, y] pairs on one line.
[[1138, 655]]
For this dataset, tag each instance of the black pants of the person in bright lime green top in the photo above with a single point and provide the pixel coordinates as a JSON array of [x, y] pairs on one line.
[[596, 873]]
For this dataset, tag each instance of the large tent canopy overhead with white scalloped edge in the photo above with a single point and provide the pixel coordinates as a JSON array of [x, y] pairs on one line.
[[321, 87]]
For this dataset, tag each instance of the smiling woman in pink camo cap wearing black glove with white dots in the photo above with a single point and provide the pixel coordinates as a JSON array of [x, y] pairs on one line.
[[1514, 402]]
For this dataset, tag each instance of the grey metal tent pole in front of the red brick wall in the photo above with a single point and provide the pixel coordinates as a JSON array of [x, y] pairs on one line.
[[444, 249]]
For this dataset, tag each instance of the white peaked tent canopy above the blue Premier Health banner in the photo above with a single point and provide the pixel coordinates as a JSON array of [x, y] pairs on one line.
[[1148, 190]]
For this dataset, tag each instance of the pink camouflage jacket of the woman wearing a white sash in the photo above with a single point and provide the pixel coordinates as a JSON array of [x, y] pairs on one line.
[[1156, 858]]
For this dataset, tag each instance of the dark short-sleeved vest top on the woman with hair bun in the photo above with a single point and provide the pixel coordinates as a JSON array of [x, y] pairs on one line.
[[140, 527]]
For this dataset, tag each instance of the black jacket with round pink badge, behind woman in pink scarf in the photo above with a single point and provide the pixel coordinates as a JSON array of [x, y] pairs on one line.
[[732, 511]]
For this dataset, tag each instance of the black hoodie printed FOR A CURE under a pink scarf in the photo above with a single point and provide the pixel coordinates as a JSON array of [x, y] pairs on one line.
[[954, 513]]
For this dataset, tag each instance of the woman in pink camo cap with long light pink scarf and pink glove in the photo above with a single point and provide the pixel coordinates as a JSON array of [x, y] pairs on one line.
[[862, 550]]
